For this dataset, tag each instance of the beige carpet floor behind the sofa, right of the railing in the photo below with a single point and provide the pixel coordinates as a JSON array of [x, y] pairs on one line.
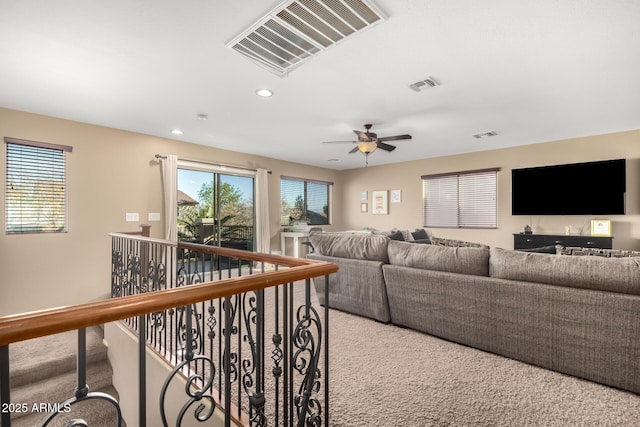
[[382, 375]]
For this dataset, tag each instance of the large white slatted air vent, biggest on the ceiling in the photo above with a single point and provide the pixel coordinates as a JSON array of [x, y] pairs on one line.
[[295, 31]]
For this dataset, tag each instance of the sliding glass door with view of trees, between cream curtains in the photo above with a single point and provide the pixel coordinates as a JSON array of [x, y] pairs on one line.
[[215, 208]]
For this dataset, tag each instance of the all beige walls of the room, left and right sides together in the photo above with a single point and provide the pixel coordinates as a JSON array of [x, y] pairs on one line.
[[111, 172]]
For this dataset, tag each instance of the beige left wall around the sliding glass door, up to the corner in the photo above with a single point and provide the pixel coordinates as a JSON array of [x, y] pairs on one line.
[[110, 172]]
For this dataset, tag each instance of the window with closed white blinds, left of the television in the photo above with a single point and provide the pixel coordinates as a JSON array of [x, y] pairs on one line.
[[461, 199]]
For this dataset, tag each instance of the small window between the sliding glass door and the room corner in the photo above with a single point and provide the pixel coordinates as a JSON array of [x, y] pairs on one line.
[[304, 200]]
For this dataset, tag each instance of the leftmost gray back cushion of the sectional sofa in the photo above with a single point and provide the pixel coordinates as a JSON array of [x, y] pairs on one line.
[[347, 245]]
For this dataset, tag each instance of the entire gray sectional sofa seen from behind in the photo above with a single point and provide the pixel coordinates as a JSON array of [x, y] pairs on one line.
[[579, 315]]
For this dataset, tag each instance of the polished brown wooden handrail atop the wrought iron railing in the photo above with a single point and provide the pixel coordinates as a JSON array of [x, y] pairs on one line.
[[21, 327]]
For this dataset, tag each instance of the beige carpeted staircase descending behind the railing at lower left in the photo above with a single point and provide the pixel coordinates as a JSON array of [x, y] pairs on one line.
[[43, 374]]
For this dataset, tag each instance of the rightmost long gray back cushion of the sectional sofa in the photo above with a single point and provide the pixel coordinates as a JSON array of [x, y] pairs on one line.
[[606, 274]]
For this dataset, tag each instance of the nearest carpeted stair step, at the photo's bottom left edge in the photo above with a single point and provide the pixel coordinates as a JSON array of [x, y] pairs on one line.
[[96, 412]]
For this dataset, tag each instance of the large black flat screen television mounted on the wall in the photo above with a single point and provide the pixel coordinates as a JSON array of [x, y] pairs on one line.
[[592, 188]]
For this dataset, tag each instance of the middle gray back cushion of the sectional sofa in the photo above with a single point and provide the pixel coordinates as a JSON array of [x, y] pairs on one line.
[[463, 260]]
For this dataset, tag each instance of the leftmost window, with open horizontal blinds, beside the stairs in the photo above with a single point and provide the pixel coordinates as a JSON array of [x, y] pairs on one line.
[[36, 189]]
